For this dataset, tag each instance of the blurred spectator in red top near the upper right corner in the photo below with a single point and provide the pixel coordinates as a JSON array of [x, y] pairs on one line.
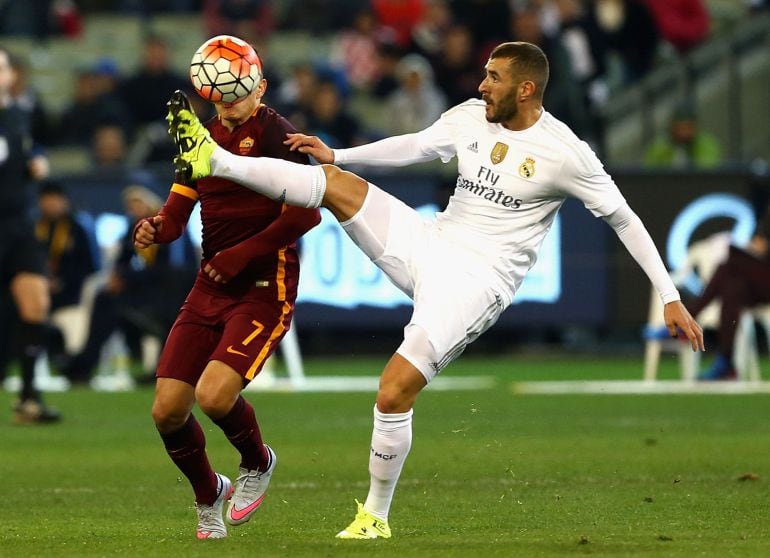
[[683, 23]]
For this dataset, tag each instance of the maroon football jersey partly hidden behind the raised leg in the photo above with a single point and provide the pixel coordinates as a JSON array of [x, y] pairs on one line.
[[231, 213]]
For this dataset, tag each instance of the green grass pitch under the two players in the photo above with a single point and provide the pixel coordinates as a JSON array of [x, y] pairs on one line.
[[491, 473]]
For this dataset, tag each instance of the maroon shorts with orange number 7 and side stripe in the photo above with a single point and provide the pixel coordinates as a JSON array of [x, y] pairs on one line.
[[240, 332]]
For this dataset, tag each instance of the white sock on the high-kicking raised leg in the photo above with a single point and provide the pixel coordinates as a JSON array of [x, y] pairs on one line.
[[295, 184]]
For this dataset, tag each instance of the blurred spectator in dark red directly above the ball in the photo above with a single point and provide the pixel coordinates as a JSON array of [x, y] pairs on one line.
[[248, 19]]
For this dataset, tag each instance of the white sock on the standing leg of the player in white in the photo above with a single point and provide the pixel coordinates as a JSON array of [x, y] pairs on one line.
[[391, 441]]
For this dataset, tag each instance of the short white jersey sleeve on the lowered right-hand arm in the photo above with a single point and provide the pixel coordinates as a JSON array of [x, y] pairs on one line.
[[583, 177]]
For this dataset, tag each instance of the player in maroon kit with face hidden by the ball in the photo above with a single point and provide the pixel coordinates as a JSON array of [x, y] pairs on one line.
[[235, 315]]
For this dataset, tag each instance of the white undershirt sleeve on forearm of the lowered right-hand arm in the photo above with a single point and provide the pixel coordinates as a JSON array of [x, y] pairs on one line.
[[637, 240]]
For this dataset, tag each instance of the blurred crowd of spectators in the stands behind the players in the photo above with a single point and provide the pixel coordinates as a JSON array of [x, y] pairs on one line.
[[391, 66]]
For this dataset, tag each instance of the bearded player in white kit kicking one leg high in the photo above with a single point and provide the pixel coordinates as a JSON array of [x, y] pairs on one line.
[[517, 164]]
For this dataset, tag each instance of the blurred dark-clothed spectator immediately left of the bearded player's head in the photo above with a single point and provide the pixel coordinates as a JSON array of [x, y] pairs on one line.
[[456, 65]]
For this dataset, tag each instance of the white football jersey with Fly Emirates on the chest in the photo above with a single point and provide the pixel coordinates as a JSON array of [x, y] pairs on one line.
[[510, 184]]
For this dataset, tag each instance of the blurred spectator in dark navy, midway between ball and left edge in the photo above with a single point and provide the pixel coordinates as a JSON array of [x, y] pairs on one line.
[[95, 102]]
